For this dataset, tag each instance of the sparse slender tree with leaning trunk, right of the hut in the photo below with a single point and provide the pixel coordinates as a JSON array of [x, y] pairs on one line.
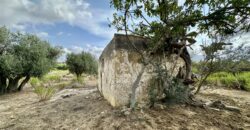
[[219, 57]]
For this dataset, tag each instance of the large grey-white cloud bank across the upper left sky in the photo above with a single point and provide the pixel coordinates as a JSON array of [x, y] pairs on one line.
[[74, 12]]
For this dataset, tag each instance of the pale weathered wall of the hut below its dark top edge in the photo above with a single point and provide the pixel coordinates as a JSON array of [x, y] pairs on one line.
[[118, 71]]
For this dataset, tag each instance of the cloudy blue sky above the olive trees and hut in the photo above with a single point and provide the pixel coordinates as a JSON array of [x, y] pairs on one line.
[[76, 25]]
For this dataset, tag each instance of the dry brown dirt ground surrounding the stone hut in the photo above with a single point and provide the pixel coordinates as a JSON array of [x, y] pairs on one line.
[[85, 109]]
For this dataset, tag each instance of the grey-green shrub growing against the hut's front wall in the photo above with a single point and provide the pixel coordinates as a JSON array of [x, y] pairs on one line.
[[162, 85]]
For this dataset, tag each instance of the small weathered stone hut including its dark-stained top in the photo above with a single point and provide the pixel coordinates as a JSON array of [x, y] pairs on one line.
[[120, 64]]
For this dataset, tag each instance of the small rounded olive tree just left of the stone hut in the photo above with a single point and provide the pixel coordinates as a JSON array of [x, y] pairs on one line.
[[81, 63]]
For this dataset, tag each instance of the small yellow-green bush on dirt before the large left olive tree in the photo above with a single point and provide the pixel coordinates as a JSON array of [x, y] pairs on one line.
[[44, 93]]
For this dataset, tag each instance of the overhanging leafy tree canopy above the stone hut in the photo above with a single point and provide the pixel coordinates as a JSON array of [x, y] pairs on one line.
[[175, 19]]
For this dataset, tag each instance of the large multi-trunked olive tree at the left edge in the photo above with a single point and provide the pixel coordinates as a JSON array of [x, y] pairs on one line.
[[22, 57]]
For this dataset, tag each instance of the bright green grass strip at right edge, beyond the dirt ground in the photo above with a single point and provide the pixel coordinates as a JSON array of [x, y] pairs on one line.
[[240, 80]]
